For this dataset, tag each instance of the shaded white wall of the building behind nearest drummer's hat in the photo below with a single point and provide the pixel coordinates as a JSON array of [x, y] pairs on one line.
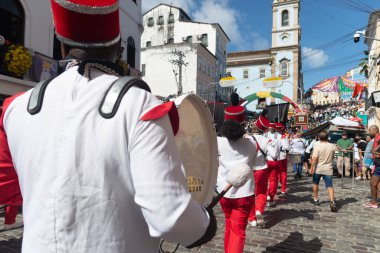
[[39, 35]]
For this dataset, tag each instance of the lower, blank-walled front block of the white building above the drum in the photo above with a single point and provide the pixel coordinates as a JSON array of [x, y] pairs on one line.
[[162, 75]]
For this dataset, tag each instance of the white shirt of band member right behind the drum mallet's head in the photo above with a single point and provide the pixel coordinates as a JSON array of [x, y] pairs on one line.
[[232, 153]]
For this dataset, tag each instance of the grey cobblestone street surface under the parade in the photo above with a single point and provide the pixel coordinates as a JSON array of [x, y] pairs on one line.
[[294, 225]]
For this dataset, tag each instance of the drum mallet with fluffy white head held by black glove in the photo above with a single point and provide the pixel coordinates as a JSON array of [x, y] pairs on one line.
[[236, 177]]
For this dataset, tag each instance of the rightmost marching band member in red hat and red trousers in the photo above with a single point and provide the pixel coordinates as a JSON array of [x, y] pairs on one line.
[[283, 162]]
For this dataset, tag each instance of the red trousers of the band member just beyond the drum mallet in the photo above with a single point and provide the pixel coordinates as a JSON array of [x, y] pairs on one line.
[[236, 212]]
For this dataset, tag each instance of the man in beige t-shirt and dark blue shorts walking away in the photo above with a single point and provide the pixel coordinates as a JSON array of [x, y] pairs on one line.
[[322, 167]]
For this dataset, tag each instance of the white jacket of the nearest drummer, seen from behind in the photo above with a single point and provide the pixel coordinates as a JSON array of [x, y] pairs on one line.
[[98, 185]]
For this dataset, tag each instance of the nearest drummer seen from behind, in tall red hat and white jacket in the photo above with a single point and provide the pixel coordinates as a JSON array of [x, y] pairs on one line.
[[98, 175]]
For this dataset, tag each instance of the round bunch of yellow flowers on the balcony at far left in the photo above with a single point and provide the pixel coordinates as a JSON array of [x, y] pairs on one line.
[[18, 60]]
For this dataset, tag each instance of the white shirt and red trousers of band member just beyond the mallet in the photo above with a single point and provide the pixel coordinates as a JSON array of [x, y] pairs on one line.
[[237, 202]]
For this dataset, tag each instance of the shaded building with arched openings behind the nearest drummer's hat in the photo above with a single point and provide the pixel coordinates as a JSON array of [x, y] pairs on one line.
[[30, 23]]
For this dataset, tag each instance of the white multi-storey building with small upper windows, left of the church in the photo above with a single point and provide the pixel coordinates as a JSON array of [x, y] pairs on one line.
[[193, 53]]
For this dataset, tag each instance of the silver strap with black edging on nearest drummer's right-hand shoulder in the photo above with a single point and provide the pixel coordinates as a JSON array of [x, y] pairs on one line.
[[111, 100]]
